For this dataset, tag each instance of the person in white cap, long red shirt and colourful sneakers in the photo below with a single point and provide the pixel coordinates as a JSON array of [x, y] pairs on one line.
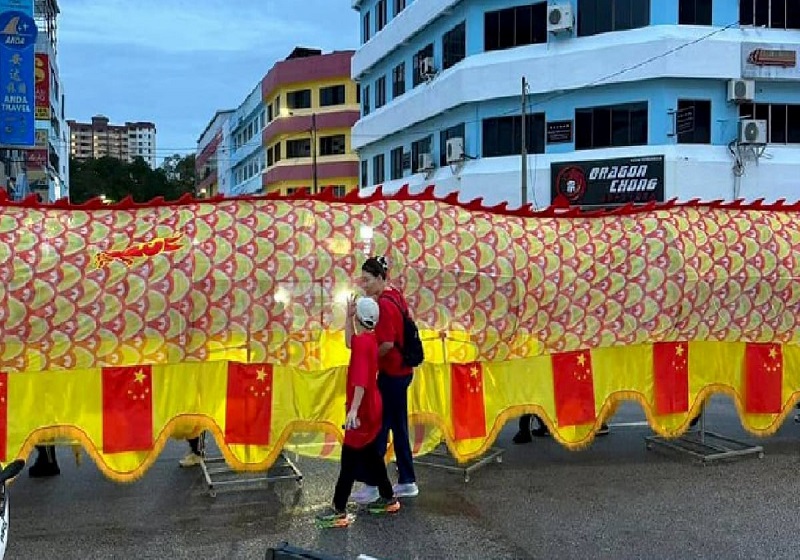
[[364, 417]]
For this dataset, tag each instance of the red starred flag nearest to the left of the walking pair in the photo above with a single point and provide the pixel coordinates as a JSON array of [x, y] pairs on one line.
[[248, 409]]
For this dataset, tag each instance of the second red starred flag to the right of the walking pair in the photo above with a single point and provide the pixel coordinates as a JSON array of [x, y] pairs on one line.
[[573, 384]]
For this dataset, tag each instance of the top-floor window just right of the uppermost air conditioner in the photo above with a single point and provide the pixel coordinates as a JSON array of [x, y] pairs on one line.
[[602, 16]]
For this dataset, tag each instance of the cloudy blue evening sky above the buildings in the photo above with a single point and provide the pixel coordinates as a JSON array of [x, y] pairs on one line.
[[176, 62]]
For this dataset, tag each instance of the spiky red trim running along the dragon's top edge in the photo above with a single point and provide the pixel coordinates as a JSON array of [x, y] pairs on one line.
[[559, 209]]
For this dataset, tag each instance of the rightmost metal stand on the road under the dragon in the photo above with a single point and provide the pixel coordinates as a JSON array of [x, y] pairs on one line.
[[706, 446]]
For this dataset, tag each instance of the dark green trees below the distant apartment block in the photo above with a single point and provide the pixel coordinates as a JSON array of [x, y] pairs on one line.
[[117, 179]]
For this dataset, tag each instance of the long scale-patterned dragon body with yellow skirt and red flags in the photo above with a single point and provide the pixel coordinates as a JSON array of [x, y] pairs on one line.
[[126, 326]]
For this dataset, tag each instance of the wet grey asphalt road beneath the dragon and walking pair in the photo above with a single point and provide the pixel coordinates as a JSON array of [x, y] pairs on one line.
[[614, 500]]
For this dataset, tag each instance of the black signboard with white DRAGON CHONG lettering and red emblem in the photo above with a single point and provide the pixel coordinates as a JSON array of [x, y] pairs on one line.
[[609, 182]]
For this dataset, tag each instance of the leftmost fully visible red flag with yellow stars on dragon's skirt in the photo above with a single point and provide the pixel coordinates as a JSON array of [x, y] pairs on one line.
[[127, 409]]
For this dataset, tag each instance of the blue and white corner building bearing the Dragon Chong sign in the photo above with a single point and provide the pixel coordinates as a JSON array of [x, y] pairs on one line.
[[693, 98]]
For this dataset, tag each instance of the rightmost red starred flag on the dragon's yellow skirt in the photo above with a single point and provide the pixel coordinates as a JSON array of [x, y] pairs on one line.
[[763, 378]]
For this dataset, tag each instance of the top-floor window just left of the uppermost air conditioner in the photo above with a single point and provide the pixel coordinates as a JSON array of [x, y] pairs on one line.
[[514, 27]]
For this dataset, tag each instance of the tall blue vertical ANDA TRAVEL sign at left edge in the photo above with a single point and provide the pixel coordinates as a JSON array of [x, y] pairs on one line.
[[17, 43]]
